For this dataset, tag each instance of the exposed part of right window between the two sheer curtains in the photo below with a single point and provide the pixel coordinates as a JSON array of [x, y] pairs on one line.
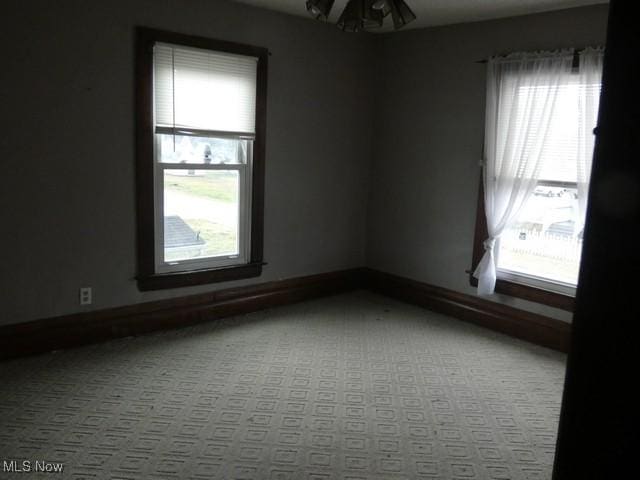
[[542, 246]]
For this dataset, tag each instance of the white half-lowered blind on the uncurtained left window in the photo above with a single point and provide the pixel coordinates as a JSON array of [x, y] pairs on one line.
[[204, 90]]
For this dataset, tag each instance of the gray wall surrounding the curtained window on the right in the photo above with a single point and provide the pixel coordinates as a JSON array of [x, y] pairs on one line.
[[429, 129]]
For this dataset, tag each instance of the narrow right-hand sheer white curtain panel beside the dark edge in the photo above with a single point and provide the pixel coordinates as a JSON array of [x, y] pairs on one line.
[[590, 79]]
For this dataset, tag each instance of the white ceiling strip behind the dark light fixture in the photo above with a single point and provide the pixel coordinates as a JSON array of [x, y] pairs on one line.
[[439, 12]]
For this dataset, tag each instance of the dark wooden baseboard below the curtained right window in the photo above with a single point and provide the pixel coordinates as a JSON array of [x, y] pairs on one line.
[[518, 323]]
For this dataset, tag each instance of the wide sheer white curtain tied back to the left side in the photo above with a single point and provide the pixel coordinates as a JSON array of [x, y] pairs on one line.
[[522, 90]]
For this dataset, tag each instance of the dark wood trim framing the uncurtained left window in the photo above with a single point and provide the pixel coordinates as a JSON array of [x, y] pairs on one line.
[[147, 277]]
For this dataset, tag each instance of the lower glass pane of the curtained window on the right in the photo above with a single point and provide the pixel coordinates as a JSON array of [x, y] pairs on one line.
[[546, 239]]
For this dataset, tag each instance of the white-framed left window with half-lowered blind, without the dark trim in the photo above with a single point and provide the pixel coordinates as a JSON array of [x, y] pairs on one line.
[[205, 127]]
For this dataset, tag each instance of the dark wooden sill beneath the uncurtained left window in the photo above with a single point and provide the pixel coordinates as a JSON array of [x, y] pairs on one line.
[[161, 281]]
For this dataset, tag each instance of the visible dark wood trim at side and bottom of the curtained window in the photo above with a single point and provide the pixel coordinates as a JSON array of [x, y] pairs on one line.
[[526, 292]]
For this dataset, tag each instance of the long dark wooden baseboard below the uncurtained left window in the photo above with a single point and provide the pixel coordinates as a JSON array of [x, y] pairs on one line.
[[91, 327]]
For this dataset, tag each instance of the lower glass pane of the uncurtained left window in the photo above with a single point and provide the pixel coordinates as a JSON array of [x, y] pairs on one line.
[[200, 214]]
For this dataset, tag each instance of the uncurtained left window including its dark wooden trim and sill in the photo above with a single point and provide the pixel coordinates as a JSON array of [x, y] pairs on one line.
[[200, 159]]
